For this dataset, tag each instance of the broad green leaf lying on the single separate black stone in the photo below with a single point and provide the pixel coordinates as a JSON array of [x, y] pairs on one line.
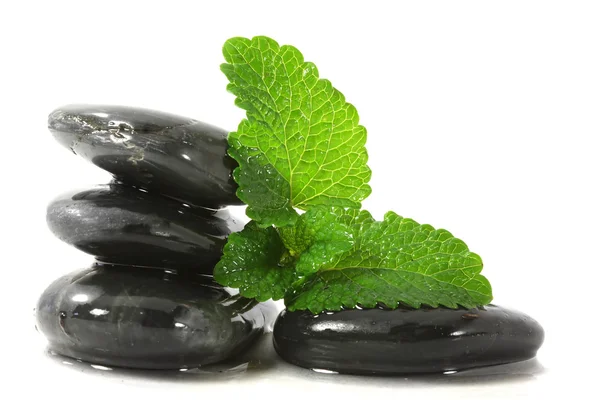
[[396, 261]]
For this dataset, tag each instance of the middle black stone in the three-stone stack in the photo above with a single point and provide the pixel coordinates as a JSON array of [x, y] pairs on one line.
[[123, 225]]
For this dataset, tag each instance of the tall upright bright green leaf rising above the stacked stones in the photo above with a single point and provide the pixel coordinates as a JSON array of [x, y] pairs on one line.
[[301, 144]]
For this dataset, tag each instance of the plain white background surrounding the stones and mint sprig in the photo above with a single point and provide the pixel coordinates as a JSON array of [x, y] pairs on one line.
[[482, 118]]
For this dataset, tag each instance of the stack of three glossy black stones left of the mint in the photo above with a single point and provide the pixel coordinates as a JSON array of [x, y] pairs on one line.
[[156, 232]]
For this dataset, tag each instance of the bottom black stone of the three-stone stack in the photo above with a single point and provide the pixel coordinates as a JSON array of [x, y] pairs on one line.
[[145, 318]]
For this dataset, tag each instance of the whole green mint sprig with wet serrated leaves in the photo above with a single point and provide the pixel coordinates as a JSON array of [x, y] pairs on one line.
[[301, 148]]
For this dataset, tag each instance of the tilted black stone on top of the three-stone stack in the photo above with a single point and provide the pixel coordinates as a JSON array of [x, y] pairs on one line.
[[161, 152]]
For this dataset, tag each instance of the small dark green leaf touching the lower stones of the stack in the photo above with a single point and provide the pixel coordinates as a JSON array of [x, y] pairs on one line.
[[253, 261]]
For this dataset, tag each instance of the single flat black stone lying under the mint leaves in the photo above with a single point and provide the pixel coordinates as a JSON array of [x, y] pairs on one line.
[[403, 341]]
